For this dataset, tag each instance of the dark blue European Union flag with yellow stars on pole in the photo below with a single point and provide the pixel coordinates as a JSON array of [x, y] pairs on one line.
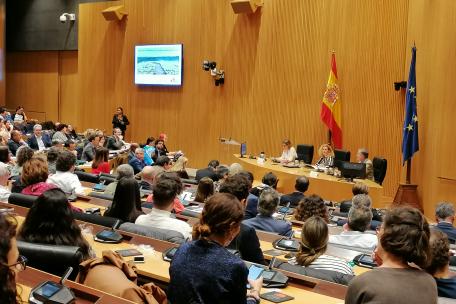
[[410, 137]]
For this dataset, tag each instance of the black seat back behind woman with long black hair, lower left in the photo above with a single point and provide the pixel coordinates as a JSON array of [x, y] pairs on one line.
[[54, 259]]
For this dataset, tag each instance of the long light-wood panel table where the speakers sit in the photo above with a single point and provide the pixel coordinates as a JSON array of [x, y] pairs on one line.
[[327, 186]]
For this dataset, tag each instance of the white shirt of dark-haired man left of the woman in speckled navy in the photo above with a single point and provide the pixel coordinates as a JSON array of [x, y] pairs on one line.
[[162, 219]]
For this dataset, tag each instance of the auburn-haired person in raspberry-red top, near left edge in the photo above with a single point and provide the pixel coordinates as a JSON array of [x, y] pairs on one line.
[[34, 176]]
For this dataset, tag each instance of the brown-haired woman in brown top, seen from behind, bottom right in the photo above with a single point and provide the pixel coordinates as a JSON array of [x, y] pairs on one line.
[[403, 246]]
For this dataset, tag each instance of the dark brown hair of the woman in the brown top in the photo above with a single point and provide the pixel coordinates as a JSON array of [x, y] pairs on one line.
[[406, 236]]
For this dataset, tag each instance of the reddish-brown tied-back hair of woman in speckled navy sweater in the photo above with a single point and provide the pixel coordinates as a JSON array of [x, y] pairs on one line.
[[221, 212]]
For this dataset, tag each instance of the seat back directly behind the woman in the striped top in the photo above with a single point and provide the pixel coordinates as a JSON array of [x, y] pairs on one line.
[[327, 275]]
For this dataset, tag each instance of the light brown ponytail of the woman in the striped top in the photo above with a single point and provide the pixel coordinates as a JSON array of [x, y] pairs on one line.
[[314, 240]]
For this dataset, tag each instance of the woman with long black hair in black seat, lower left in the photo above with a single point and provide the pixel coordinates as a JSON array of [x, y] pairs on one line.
[[51, 221]]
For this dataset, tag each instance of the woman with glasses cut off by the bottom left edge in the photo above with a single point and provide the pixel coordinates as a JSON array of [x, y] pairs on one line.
[[10, 261]]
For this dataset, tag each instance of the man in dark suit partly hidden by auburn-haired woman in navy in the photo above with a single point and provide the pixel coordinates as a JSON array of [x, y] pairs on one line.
[[246, 242]]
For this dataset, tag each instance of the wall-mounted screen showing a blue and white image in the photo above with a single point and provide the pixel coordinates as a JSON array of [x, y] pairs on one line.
[[158, 64]]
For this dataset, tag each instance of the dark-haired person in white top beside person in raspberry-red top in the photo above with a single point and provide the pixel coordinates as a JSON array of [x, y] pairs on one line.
[[64, 178]]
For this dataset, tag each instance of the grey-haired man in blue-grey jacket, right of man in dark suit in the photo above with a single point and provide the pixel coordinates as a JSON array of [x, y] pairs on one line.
[[267, 205]]
